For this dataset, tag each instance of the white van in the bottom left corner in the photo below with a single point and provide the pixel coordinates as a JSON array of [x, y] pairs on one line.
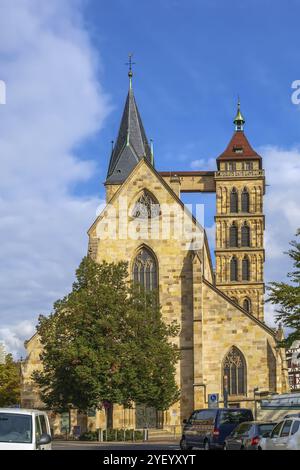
[[24, 430]]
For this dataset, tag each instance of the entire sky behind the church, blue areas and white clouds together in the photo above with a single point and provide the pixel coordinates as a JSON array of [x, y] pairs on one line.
[[64, 66]]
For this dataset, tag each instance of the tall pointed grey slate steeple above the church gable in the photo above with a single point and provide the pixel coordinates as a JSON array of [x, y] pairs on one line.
[[132, 144]]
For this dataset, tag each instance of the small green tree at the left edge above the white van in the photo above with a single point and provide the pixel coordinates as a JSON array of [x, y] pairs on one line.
[[10, 382]]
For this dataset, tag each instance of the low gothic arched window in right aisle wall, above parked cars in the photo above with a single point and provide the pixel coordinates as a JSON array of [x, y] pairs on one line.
[[234, 372]]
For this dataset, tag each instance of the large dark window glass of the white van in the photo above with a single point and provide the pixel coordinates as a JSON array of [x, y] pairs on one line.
[[15, 428]]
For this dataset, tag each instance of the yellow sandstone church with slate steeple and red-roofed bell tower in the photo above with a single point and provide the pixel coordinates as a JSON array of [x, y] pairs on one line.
[[225, 345]]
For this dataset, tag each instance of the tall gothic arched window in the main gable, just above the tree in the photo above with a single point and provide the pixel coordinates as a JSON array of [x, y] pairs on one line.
[[145, 270]]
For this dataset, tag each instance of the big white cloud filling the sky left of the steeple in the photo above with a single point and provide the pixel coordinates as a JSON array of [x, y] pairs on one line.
[[54, 102]]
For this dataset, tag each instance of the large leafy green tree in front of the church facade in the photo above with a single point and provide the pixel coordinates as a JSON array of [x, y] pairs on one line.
[[106, 341]]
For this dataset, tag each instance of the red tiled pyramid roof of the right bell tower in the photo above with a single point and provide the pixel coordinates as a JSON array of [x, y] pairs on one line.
[[239, 149]]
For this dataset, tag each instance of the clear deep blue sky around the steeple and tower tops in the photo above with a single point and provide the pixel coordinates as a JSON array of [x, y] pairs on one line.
[[192, 60]]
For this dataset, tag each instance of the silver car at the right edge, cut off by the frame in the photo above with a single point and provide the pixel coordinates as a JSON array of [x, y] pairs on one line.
[[285, 436]]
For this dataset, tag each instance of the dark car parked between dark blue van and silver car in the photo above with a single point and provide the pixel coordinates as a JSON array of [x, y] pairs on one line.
[[248, 435]]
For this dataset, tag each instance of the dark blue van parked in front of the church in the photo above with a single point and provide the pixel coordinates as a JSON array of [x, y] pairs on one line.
[[208, 428]]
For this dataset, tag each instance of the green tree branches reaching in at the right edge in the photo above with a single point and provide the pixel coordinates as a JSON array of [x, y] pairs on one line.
[[287, 296]]
